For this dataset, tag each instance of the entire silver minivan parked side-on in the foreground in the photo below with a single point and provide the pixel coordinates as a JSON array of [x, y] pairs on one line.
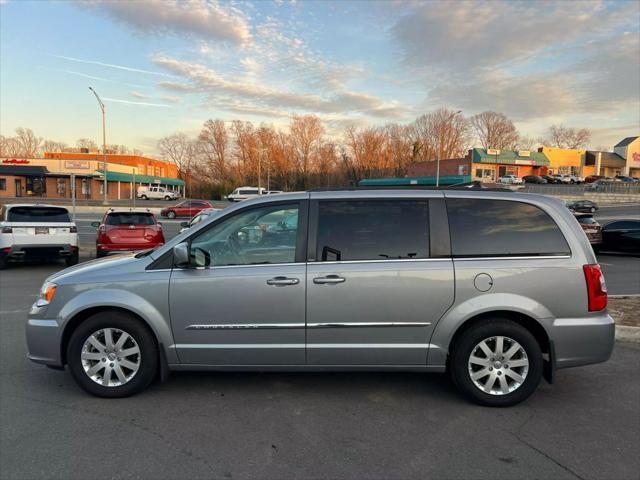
[[498, 289]]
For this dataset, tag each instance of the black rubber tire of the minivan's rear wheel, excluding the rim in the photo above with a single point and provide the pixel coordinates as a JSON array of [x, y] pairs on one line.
[[464, 346]]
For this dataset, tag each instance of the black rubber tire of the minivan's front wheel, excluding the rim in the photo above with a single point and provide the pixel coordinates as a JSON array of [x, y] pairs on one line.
[[135, 328]]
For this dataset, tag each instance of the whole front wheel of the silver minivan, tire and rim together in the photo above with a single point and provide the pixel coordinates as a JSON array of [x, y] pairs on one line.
[[112, 354]]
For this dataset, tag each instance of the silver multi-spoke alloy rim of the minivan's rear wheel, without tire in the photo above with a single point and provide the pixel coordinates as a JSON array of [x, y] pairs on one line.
[[498, 365]]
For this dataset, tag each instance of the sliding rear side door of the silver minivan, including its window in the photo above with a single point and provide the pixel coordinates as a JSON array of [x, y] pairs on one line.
[[379, 277]]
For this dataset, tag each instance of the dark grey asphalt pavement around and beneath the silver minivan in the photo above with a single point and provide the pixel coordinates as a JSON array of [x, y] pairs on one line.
[[320, 425]]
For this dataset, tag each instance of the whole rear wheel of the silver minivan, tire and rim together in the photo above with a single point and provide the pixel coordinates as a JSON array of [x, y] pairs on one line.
[[496, 363]]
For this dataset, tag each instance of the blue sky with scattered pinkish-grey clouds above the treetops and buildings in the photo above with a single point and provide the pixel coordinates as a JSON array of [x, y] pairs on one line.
[[163, 66]]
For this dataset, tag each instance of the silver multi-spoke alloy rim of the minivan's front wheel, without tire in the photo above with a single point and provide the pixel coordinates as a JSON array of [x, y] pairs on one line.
[[110, 357]]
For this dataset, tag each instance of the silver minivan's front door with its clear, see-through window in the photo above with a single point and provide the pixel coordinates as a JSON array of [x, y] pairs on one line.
[[242, 300]]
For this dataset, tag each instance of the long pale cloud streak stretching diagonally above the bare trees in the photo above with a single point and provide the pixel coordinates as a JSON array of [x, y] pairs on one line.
[[201, 79]]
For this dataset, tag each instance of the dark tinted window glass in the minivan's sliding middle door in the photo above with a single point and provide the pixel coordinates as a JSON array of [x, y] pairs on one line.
[[372, 230]]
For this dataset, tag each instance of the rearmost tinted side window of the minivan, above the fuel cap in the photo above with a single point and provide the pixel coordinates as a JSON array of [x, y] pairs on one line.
[[500, 228]]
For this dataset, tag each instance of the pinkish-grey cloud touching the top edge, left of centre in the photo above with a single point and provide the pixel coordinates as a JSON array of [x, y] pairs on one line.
[[206, 19]]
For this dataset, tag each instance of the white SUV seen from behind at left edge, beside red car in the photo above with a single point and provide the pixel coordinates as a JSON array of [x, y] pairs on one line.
[[37, 231]]
